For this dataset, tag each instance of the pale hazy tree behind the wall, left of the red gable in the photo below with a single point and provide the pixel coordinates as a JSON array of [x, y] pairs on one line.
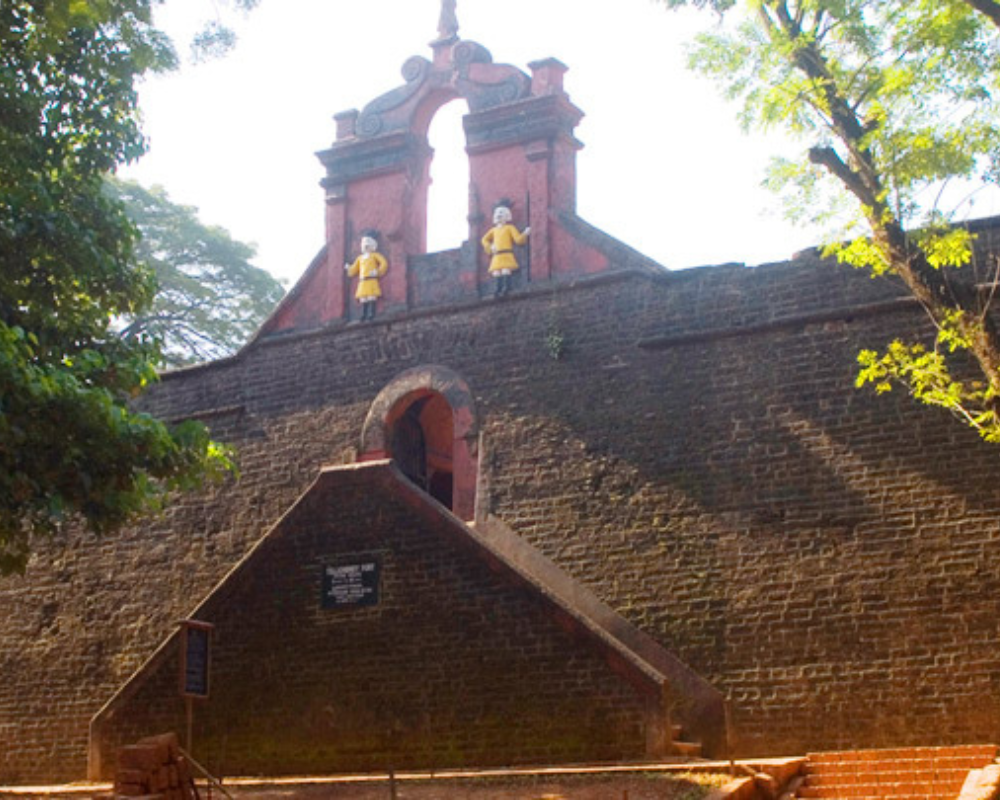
[[210, 299]]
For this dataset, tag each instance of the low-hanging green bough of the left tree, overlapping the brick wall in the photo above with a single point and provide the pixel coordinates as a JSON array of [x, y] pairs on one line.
[[70, 446]]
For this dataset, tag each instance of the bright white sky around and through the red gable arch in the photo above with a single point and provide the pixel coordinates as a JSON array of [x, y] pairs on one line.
[[665, 167]]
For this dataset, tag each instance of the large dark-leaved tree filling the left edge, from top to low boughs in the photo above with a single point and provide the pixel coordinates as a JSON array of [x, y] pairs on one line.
[[71, 446]]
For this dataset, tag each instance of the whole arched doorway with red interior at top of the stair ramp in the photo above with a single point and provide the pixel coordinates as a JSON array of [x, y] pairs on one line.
[[425, 421]]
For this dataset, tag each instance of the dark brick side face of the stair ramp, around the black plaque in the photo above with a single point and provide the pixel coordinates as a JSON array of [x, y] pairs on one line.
[[455, 665]]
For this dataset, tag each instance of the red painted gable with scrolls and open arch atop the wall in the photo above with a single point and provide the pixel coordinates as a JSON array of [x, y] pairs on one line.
[[520, 143]]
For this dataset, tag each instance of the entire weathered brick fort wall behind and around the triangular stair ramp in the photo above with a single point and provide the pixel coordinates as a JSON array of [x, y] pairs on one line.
[[827, 557]]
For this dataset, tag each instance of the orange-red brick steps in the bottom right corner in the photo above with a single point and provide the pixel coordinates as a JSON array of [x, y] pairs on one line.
[[913, 773]]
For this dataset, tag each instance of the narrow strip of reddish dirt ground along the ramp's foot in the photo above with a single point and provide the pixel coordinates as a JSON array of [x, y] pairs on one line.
[[632, 787]]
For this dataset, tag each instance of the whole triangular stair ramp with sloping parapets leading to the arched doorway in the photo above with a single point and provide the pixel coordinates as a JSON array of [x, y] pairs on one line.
[[464, 648]]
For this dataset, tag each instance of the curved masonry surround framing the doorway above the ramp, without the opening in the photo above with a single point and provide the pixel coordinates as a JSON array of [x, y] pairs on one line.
[[416, 386]]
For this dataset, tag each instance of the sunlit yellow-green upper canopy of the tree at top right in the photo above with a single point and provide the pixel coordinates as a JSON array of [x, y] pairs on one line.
[[917, 77]]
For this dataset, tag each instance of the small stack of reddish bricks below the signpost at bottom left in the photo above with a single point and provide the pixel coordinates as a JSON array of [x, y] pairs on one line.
[[154, 768]]
